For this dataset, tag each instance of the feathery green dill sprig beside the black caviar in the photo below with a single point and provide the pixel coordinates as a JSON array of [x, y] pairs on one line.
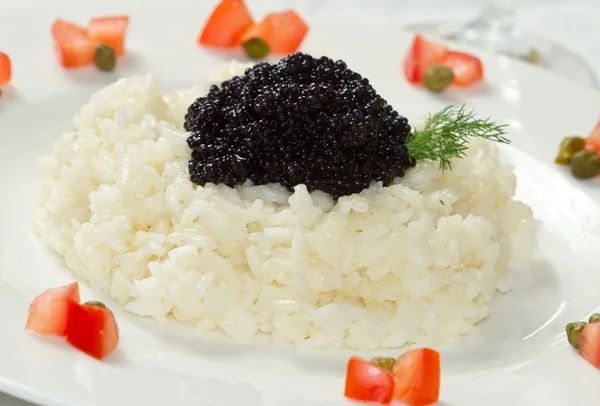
[[446, 135]]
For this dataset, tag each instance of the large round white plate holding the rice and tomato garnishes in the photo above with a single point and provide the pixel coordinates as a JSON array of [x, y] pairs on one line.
[[522, 358]]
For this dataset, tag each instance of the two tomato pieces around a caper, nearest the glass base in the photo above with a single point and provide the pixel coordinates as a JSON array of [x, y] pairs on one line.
[[467, 69]]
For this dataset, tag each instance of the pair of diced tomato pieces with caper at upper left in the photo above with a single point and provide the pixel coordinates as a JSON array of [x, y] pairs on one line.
[[77, 46]]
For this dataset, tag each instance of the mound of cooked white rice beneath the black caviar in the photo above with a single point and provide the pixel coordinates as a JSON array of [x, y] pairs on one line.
[[416, 262]]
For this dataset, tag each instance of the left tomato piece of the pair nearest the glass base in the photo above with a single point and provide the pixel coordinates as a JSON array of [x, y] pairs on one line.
[[421, 55]]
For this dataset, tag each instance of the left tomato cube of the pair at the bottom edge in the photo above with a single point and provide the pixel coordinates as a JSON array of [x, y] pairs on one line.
[[366, 382]]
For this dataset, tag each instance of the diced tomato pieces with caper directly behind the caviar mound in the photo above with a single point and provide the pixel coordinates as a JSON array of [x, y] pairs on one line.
[[231, 25]]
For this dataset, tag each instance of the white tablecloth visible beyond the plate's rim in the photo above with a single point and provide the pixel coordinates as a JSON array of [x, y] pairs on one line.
[[572, 23]]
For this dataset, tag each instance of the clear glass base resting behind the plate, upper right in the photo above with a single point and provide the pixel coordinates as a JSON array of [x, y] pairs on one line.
[[515, 43]]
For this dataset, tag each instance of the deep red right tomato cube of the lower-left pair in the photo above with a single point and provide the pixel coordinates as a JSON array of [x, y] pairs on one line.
[[93, 330]]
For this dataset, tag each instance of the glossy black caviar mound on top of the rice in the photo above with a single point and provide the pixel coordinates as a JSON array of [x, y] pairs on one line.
[[301, 121]]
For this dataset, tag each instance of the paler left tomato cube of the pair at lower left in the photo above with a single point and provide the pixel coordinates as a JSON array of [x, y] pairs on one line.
[[49, 312]]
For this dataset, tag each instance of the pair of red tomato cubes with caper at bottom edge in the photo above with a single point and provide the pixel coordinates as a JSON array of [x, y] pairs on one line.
[[414, 378]]
